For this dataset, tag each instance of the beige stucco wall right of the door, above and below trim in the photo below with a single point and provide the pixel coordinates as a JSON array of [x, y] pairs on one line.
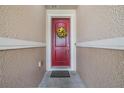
[[100, 67]]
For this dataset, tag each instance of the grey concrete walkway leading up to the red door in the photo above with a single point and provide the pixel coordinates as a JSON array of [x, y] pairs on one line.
[[73, 82]]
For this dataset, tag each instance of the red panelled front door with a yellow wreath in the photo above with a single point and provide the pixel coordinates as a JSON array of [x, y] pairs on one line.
[[60, 41]]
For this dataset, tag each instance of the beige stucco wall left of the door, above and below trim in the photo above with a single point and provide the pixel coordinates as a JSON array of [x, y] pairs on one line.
[[19, 68]]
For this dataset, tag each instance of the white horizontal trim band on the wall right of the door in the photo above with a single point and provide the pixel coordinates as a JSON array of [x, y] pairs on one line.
[[112, 43]]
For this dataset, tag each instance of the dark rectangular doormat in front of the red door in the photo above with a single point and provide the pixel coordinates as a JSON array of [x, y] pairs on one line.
[[60, 74]]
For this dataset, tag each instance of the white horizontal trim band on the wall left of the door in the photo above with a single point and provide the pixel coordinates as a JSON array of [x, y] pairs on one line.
[[10, 43]]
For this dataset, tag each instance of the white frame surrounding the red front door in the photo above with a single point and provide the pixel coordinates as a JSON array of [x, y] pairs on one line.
[[61, 14]]
